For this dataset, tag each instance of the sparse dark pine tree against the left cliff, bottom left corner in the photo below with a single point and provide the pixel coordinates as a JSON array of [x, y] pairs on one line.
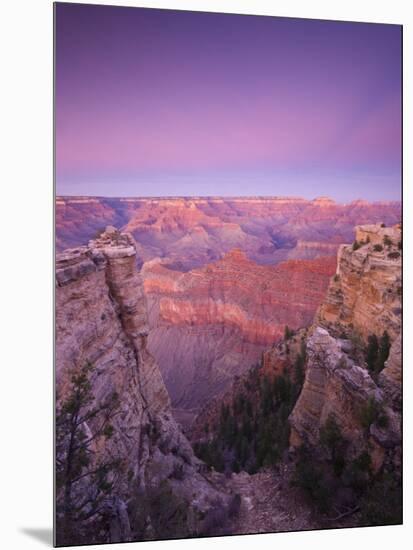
[[82, 478]]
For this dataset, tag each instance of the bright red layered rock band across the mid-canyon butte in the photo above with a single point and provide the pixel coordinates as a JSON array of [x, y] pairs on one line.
[[235, 291]]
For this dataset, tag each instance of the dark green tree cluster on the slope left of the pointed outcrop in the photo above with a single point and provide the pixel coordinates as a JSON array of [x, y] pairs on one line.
[[254, 431]]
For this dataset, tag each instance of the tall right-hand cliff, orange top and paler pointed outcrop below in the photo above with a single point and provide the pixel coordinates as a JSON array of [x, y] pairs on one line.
[[363, 300]]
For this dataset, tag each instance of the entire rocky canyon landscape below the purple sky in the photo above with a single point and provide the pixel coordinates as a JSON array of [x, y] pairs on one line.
[[188, 343]]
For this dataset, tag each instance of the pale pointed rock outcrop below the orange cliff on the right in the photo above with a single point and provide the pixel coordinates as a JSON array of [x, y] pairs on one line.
[[335, 385]]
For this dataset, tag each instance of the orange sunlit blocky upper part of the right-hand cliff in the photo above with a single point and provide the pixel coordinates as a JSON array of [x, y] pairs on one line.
[[365, 295]]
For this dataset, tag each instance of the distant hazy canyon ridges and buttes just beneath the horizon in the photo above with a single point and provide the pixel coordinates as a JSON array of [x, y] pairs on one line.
[[191, 231]]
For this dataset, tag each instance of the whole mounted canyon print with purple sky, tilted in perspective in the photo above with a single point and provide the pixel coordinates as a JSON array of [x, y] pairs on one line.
[[228, 274]]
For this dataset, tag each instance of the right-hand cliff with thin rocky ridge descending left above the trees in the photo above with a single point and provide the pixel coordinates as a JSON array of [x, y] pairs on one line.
[[363, 299]]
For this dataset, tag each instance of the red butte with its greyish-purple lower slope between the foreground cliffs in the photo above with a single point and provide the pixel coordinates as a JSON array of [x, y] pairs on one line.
[[212, 323]]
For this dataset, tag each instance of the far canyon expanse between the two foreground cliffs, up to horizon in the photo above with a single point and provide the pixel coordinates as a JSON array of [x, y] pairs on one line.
[[222, 276]]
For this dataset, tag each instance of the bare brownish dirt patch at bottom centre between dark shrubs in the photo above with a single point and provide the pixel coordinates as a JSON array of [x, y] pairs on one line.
[[269, 504]]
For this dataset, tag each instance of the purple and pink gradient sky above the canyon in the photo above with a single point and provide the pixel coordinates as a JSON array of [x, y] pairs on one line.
[[159, 102]]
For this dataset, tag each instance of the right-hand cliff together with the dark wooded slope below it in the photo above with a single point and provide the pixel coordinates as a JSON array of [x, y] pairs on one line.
[[344, 441]]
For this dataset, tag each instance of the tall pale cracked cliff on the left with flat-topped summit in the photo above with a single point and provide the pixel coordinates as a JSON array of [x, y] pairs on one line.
[[101, 317]]
